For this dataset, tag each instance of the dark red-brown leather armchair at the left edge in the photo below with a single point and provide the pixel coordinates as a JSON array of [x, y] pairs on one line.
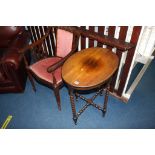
[[12, 68]]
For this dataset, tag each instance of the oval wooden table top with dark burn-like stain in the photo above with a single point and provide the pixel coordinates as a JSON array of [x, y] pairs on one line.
[[89, 68]]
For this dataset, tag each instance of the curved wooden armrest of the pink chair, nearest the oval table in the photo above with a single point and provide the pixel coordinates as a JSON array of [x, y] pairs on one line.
[[60, 63]]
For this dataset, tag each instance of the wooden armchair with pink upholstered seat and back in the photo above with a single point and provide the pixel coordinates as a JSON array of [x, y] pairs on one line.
[[48, 69]]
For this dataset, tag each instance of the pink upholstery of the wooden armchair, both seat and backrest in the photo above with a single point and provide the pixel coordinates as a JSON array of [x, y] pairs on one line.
[[64, 46]]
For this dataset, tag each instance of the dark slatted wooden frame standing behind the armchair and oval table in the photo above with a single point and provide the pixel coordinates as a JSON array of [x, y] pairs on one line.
[[104, 36]]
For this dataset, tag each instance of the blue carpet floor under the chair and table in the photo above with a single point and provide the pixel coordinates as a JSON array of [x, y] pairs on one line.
[[39, 110]]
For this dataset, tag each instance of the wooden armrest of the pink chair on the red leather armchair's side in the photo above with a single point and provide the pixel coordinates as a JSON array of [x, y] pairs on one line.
[[38, 42]]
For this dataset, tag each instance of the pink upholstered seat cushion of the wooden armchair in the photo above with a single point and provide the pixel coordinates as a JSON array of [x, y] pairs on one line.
[[40, 69]]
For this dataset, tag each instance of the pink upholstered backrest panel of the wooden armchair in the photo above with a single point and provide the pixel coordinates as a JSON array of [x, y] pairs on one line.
[[64, 42]]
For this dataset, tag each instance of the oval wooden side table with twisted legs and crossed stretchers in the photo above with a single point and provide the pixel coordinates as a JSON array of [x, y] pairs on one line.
[[89, 69]]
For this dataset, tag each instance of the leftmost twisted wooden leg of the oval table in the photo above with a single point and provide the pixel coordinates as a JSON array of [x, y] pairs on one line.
[[73, 105]]
